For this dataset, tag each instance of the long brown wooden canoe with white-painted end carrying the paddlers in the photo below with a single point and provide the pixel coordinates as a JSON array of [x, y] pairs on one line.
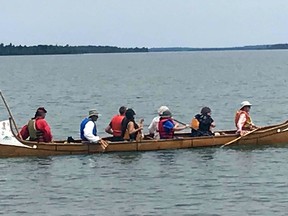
[[269, 135]]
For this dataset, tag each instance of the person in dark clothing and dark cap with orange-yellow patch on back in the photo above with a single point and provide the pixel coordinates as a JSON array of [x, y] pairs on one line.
[[203, 123]]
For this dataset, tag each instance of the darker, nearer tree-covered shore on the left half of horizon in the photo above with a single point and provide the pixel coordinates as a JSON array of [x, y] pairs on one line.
[[56, 49]]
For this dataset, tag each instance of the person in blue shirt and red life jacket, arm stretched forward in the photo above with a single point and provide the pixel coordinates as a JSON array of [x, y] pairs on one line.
[[167, 126]]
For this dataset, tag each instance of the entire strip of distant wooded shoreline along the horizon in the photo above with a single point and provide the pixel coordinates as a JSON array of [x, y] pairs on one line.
[[57, 50]]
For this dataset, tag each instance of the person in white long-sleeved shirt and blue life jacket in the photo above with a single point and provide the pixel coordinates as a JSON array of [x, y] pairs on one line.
[[88, 129]]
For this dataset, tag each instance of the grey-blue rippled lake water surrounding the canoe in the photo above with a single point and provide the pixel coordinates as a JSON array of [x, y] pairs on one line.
[[208, 181]]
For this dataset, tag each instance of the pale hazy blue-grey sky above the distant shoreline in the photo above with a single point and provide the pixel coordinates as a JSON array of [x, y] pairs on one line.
[[148, 23]]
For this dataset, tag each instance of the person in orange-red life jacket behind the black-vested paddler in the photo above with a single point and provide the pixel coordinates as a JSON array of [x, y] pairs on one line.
[[115, 127]]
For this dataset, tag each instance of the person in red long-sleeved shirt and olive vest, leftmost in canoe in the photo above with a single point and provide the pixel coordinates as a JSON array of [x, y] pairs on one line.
[[37, 128]]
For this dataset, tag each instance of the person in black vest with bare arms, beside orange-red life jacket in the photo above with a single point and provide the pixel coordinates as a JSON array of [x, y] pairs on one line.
[[130, 129]]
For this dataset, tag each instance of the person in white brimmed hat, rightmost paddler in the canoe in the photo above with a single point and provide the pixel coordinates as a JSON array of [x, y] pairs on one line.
[[243, 121]]
